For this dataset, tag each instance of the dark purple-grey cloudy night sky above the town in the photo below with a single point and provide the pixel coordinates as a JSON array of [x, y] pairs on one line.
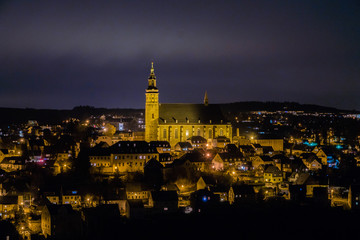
[[61, 54]]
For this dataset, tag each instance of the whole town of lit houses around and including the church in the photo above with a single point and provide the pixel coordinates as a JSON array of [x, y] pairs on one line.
[[207, 168]]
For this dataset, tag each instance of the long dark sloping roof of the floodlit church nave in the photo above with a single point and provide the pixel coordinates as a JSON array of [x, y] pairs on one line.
[[190, 113]]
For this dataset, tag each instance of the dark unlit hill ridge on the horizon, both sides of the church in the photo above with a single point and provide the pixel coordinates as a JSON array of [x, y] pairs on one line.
[[53, 116]]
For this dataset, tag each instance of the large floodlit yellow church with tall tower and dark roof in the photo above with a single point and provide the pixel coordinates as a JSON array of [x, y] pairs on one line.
[[177, 122]]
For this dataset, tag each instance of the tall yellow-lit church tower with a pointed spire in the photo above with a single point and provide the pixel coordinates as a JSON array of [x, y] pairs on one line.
[[151, 108]]
